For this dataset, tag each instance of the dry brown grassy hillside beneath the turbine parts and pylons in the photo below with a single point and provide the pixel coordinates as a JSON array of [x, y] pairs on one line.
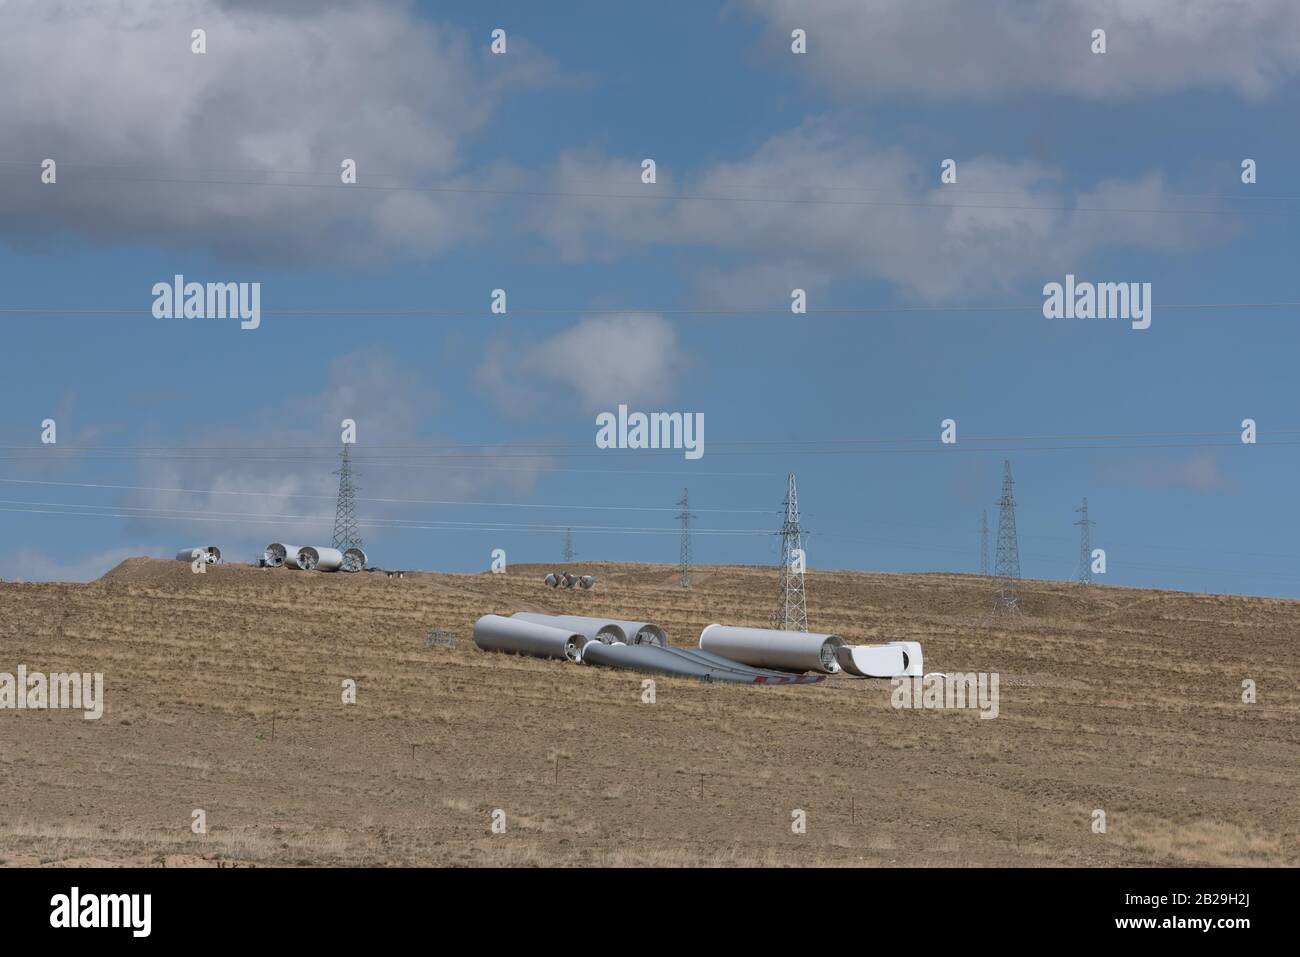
[[224, 695]]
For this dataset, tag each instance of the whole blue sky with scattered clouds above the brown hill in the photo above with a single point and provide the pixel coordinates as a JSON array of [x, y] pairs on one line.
[[775, 172]]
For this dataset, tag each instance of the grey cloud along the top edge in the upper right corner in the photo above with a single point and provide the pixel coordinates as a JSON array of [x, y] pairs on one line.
[[961, 50]]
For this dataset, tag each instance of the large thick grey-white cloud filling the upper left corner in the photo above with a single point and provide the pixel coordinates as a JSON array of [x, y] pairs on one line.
[[161, 145]]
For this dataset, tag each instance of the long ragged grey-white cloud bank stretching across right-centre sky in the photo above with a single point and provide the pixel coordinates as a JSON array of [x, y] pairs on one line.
[[785, 213]]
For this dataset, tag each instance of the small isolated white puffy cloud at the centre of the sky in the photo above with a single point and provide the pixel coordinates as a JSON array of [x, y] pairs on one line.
[[600, 362]]
